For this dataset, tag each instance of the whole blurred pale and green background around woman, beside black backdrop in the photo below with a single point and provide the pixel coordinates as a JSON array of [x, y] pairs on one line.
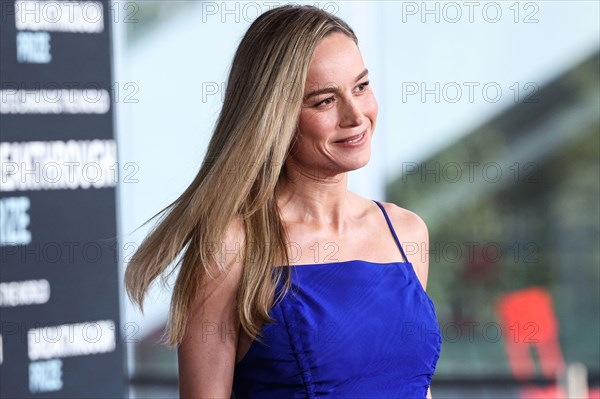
[[488, 128]]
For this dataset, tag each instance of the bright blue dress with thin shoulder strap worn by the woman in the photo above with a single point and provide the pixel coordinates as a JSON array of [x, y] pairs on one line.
[[350, 329]]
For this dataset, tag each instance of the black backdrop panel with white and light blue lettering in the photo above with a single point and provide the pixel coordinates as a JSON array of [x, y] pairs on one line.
[[59, 291]]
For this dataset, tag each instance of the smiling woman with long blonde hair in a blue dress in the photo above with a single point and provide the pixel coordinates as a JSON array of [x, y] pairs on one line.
[[291, 285]]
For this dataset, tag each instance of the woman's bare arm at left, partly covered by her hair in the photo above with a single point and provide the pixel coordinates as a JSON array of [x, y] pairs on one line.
[[207, 353]]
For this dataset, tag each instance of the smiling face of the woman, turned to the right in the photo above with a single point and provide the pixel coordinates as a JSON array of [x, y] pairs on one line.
[[338, 105]]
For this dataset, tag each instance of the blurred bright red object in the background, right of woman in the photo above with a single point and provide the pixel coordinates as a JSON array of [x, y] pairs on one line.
[[528, 320]]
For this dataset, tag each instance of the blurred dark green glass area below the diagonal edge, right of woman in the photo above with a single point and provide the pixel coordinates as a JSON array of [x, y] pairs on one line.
[[514, 205]]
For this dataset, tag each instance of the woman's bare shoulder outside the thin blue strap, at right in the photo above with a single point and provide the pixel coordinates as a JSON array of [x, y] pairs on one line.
[[413, 234]]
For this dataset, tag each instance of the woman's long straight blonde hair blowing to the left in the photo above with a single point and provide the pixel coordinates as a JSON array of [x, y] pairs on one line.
[[257, 123]]
